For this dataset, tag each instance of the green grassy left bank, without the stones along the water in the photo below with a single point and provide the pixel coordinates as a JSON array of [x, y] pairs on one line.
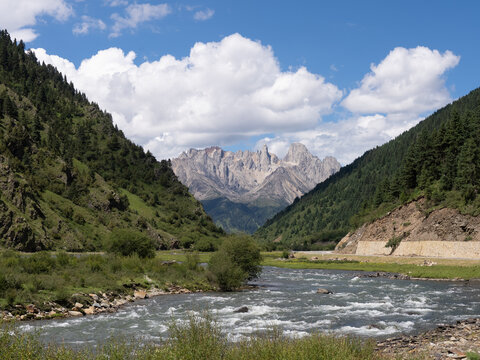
[[44, 277]]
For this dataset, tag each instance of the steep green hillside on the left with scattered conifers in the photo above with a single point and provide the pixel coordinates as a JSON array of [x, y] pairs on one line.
[[68, 176]]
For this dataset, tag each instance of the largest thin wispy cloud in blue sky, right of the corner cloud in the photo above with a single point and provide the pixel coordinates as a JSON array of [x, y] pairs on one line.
[[136, 14]]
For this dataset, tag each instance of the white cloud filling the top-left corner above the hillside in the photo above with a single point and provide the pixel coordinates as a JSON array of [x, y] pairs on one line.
[[19, 16]]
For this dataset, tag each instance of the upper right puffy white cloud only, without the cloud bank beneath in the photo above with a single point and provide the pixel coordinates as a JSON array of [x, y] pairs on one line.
[[406, 81]]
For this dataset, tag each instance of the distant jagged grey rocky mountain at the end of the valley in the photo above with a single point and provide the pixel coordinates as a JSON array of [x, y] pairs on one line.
[[253, 179]]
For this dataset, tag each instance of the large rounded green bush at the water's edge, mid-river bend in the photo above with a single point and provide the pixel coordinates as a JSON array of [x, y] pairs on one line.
[[238, 259]]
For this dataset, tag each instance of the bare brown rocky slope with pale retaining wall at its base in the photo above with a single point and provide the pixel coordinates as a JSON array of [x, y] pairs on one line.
[[415, 230]]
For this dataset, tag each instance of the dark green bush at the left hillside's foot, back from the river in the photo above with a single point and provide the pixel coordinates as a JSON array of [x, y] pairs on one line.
[[127, 242]]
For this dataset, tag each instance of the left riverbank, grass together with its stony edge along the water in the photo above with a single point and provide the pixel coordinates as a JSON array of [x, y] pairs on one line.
[[51, 285]]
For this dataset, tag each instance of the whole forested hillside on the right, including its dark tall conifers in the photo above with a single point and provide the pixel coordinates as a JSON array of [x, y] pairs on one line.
[[438, 158]]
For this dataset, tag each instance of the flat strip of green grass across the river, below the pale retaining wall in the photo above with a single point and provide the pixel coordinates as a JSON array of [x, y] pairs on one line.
[[470, 270]]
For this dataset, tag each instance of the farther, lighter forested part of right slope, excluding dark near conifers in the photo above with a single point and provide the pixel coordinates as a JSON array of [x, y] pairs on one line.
[[353, 196]]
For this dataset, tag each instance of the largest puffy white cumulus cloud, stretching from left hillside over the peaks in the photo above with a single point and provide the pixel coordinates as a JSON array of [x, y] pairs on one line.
[[222, 92]]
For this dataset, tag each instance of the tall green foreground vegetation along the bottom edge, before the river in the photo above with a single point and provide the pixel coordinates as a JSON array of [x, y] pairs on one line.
[[200, 338]]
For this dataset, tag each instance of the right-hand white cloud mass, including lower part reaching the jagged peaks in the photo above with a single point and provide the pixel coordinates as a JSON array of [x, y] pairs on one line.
[[390, 99]]
